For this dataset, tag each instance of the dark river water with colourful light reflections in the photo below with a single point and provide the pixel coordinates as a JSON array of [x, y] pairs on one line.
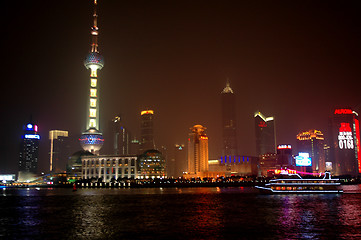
[[178, 213]]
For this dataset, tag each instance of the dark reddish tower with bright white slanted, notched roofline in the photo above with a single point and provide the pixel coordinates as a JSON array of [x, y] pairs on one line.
[[265, 134]]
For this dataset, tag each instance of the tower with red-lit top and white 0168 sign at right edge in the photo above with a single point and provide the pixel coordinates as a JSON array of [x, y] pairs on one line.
[[344, 136]]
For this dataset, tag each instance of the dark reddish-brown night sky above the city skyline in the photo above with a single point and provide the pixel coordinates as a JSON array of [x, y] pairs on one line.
[[295, 60]]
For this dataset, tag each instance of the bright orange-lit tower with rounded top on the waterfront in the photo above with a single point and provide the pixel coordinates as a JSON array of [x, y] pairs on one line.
[[197, 151]]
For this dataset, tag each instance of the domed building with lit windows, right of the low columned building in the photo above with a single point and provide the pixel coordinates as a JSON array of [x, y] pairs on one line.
[[152, 164]]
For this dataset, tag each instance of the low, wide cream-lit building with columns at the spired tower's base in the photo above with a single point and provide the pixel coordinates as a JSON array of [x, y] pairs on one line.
[[109, 168]]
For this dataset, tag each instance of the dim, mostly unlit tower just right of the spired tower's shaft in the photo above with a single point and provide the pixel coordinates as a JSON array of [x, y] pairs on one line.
[[118, 138]]
